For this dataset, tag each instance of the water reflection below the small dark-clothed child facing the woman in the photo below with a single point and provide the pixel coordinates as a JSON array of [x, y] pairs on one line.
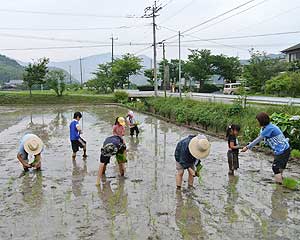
[[232, 197]]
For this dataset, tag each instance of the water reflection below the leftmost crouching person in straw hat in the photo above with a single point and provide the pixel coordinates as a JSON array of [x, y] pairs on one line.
[[32, 189]]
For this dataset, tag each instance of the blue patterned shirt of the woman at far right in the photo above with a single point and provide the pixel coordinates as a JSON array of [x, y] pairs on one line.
[[274, 138]]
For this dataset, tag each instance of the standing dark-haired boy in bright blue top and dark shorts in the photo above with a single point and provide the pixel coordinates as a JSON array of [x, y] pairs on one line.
[[75, 132]]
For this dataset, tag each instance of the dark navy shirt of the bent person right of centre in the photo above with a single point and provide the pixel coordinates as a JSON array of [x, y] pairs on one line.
[[183, 155]]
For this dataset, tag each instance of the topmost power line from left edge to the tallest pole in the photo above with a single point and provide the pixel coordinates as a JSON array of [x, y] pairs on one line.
[[67, 14]]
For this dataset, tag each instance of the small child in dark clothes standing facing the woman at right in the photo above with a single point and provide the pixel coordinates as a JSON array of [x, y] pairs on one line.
[[233, 147]]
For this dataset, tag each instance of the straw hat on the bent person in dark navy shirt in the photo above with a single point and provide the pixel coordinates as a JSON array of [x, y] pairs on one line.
[[199, 147]]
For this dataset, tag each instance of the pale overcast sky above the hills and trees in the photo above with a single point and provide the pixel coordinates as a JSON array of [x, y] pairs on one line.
[[22, 27]]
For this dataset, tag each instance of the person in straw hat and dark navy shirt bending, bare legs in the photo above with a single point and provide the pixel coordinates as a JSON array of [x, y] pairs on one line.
[[188, 153]]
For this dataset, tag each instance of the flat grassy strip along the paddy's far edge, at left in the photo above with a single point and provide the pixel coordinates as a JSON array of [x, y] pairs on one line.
[[48, 97]]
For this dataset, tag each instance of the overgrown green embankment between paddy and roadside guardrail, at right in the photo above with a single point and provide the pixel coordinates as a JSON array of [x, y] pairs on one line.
[[211, 117]]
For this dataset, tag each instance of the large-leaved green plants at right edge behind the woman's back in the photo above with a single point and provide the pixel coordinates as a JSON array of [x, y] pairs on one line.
[[290, 126]]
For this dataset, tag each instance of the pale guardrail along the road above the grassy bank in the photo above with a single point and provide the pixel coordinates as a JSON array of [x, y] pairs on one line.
[[219, 97]]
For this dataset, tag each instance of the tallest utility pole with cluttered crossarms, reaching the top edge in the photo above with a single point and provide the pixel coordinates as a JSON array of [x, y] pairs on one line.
[[153, 14]]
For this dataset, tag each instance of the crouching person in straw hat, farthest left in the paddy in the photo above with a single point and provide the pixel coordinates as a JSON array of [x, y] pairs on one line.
[[30, 144]]
